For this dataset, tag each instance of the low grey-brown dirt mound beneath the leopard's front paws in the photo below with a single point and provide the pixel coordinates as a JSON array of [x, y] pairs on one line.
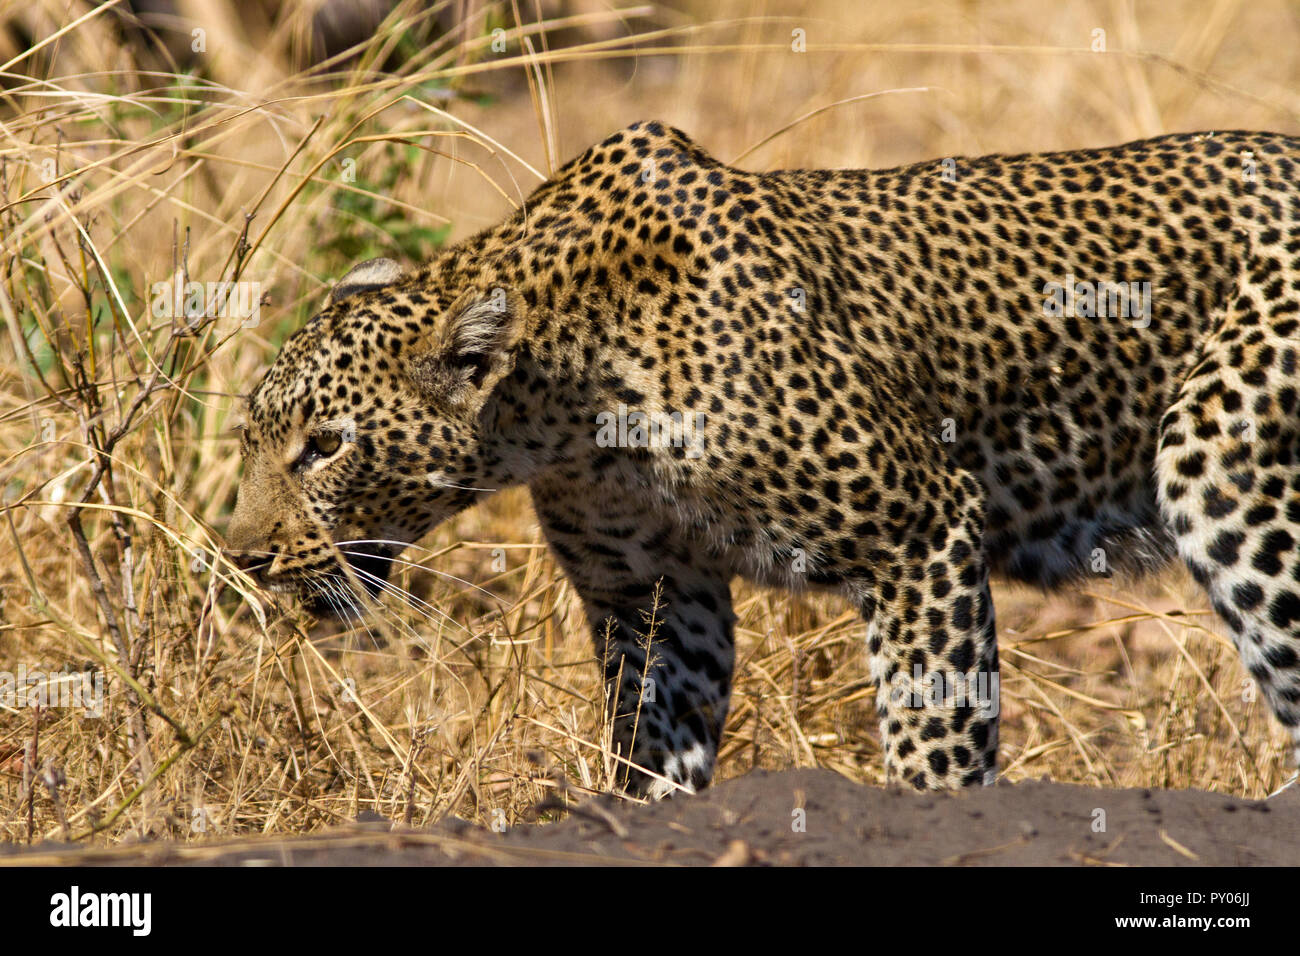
[[801, 817]]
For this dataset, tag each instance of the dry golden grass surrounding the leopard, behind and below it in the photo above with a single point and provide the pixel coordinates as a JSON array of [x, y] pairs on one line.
[[228, 713]]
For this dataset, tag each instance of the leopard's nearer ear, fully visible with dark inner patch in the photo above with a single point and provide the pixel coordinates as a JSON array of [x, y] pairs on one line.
[[471, 347]]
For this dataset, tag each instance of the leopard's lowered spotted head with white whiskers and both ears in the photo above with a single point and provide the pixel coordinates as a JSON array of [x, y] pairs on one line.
[[378, 421]]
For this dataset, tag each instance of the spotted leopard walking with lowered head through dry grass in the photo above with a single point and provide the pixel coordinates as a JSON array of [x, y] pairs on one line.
[[891, 384]]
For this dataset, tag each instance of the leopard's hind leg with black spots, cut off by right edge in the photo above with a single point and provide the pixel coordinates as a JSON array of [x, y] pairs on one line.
[[1229, 474]]
